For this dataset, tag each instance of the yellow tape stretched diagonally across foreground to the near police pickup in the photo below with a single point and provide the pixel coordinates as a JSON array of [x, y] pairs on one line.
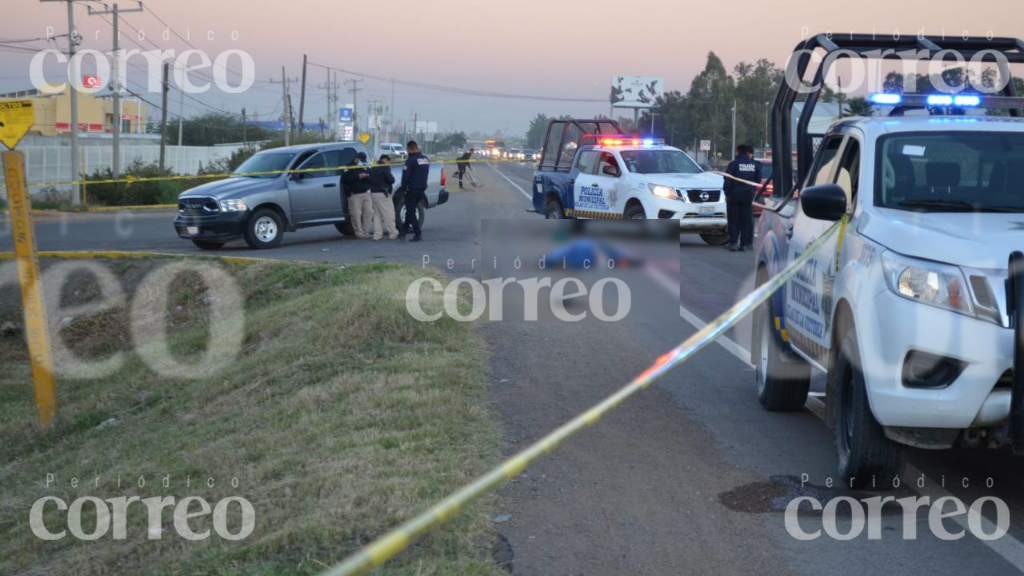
[[386, 548]]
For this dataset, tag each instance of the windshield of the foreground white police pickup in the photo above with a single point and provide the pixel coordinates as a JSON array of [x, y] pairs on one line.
[[952, 173]]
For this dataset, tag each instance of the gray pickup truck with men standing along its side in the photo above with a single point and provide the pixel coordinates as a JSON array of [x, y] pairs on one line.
[[260, 204]]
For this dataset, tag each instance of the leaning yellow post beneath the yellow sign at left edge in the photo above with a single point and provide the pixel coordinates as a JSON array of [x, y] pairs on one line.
[[36, 328]]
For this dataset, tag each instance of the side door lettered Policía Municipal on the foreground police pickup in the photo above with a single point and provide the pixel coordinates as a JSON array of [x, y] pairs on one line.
[[809, 294]]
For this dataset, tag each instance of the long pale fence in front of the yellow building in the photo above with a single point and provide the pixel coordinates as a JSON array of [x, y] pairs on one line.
[[53, 164]]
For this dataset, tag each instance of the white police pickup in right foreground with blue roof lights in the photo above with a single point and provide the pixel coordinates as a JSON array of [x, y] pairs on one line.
[[908, 310]]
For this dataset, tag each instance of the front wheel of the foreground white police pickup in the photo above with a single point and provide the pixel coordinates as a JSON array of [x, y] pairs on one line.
[[867, 459]]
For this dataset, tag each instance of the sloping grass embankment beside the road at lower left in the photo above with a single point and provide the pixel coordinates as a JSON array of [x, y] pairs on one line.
[[340, 418]]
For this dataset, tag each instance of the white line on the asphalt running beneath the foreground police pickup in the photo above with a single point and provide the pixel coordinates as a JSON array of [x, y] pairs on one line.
[[1008, 547]]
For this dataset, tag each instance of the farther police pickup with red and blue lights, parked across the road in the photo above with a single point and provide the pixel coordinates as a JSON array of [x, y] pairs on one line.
[[589, 170]]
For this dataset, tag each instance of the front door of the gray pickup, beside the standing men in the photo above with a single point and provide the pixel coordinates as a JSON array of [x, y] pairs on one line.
[[316, 195]]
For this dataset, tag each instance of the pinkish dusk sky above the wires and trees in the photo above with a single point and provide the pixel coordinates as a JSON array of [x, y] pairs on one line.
[[563, 49]]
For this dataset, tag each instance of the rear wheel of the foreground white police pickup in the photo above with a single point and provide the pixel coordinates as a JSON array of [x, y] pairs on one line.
[[783, 380]]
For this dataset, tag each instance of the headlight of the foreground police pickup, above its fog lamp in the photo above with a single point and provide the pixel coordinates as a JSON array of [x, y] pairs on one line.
[[927, 282]]
